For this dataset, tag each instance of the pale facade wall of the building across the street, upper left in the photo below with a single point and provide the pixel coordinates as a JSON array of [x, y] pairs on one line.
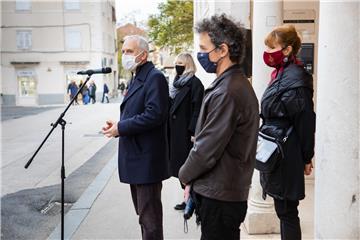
[[51, 57]]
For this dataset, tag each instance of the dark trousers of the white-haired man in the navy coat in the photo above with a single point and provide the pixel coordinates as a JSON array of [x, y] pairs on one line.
[[147, 203]]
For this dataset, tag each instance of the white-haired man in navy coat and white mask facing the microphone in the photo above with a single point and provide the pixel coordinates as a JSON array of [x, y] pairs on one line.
[[142, 132]]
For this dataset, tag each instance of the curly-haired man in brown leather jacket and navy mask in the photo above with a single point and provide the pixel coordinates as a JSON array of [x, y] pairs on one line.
[[221, 163]]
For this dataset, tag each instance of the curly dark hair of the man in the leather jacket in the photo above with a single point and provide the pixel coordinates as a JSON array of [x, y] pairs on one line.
[[222, 29]]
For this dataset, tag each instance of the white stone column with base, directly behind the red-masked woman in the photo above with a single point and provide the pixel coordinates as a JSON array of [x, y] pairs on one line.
[[261, 217]]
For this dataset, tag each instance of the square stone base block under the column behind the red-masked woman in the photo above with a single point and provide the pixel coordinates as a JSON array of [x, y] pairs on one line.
[[260, 222]]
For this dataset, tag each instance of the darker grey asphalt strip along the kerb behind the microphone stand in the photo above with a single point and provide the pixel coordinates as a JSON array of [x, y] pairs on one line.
[[34, 213]]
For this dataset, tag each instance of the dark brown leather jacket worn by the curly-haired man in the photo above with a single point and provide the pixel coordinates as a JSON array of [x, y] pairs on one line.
[[221, 163]]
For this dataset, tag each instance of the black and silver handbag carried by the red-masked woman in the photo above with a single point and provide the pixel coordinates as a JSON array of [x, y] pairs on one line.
[[270, 151]]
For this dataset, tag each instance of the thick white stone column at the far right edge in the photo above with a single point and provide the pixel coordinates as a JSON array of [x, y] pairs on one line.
[[338, 122]]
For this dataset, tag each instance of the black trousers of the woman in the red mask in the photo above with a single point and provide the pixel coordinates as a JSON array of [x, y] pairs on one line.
[[289, 220]]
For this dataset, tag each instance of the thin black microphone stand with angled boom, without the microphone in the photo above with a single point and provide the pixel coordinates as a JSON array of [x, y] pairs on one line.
[[62, 122]]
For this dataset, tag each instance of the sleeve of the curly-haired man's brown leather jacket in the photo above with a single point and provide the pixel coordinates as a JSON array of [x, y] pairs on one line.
[[211, 140]]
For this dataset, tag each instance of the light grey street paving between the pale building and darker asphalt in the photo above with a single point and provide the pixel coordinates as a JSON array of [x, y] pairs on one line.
[[22, 136]]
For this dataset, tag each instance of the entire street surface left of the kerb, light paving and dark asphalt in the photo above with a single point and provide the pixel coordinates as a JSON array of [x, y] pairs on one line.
[[30, 197]]
